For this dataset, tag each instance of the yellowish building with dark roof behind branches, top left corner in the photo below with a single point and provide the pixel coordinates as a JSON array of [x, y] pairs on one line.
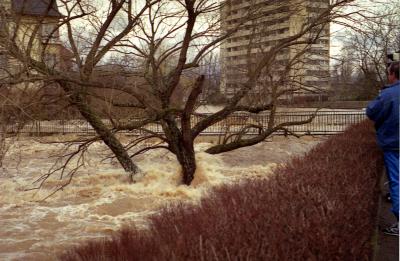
[[34, 26]]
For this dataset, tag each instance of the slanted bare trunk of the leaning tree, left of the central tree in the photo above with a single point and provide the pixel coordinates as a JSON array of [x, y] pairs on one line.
[[101, 129]]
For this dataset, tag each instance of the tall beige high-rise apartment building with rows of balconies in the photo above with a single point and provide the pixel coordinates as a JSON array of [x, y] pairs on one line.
[[265, 24]]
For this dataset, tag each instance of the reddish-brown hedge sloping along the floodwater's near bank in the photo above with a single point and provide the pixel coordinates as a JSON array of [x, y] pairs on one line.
[[319, 207]]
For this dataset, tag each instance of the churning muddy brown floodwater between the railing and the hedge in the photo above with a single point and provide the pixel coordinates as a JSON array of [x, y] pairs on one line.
[[99, 199]]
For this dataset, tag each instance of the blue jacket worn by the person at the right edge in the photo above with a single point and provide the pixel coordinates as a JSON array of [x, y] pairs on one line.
[[384, 111]]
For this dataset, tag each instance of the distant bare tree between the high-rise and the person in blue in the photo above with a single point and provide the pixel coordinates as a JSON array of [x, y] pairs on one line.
[[362, 63]]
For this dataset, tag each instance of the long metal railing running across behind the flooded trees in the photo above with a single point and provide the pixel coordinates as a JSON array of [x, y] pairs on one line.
[[324, 123]]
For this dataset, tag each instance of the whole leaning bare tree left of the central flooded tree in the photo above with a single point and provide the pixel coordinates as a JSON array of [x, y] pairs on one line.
[[87, 52]]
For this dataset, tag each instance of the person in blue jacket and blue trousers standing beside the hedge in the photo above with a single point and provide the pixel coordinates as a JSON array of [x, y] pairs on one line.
[[384, 111]]
